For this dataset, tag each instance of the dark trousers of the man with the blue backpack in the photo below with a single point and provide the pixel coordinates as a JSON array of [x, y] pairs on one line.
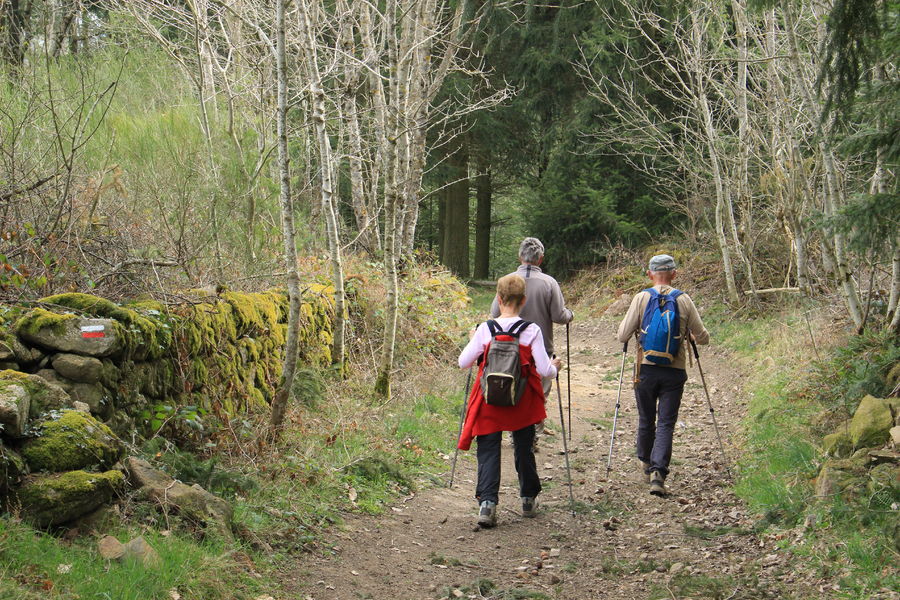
[[658, 396]]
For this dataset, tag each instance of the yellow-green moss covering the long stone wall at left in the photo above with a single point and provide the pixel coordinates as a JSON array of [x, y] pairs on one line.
[[227, 350]]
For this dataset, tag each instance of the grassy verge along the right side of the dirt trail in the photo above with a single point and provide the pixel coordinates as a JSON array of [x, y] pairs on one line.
[[796, 398]]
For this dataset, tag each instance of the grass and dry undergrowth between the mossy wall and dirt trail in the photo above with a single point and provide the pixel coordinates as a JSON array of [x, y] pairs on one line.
[[342, 451]]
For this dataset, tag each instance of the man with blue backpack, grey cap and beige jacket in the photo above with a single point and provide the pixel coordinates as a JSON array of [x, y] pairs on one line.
[[663, 318]]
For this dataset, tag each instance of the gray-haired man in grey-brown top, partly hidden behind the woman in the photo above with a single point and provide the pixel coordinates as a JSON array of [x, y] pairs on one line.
[[544, 303]]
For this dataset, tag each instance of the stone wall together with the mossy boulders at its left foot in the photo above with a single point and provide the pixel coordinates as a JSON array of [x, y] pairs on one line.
[[131, 367]]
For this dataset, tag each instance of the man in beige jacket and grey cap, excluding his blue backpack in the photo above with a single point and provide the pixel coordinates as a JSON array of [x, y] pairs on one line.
[[658, 388]]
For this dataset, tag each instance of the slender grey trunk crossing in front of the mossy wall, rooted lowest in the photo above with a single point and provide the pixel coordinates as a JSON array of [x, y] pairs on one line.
[[282, 395]]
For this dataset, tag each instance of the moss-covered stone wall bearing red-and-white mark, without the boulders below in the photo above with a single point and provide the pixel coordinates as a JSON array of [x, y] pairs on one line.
[[223, 353]]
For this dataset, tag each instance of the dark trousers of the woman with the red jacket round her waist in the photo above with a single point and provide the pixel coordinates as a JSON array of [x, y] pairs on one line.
[[488, 486]]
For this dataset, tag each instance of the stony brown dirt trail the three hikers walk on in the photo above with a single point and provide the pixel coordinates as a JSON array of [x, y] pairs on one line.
[[624, 543]]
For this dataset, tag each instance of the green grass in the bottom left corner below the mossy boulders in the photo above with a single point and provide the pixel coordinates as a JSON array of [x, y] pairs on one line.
[[35, 565]]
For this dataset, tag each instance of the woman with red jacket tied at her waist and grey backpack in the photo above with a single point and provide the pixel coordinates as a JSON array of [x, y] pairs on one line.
[[485, 421]]
